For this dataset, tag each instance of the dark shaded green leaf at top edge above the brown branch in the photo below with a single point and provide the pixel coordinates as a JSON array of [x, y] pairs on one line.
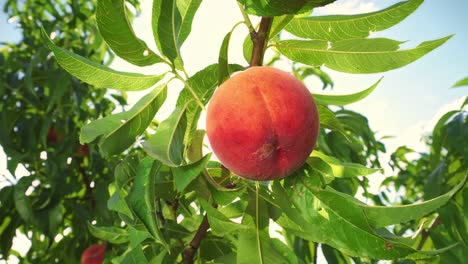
[[280, 7]]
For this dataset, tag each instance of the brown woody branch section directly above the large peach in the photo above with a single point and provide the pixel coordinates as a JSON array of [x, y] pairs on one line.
[[260, 39]]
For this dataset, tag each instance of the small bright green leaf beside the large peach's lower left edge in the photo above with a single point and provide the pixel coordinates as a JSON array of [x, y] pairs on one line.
[[184, 175]]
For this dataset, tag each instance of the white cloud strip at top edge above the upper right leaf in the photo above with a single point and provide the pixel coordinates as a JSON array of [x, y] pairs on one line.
[[347, 7]]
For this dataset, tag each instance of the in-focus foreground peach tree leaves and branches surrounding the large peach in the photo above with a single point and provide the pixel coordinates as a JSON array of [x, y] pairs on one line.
[[178, 203]]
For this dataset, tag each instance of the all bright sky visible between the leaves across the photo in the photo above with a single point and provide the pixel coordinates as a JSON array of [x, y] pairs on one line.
[[406, 104]]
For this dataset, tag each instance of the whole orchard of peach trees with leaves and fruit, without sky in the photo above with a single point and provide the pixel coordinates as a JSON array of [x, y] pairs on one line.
[[233, 163]]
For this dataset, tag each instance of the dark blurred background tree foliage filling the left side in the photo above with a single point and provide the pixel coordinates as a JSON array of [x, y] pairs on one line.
[[42, 111]]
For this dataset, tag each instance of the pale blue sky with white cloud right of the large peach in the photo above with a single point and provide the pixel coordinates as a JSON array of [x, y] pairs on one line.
[[411, 96]]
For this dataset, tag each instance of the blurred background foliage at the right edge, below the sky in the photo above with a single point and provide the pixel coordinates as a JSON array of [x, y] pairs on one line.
[[428, 176]]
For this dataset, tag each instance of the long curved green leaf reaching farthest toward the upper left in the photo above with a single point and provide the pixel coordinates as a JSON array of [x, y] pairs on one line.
[[98, 75]]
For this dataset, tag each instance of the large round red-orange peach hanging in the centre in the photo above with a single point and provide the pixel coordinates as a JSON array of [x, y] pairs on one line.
[[262, 123]]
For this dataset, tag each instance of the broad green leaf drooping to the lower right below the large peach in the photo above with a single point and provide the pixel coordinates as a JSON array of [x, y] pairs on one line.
[[326, 225]]
